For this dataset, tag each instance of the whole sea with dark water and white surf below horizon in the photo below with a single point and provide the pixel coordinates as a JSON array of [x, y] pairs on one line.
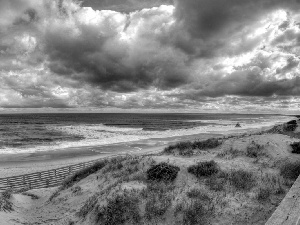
[[29, 133]]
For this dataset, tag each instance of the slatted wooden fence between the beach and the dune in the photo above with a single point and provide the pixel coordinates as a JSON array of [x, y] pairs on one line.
[[43, 179]]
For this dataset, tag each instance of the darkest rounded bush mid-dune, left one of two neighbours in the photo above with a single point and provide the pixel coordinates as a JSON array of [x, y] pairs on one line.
[[162, 172]]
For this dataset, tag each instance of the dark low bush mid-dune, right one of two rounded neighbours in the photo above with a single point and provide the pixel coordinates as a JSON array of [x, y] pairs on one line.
[[204, 169]]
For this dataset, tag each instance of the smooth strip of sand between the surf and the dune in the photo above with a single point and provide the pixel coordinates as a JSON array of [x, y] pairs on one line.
[[23, 163]]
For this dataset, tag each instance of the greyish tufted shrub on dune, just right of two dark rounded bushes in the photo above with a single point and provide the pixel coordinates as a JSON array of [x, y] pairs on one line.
[[241, 180]]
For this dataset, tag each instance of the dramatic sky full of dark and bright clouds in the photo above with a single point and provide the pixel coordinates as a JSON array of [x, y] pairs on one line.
[[150, 56]]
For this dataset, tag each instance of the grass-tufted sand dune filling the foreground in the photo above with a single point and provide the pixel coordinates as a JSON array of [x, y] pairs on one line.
[[252, 176]]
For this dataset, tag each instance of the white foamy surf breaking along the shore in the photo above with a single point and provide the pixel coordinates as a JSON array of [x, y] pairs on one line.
[[99, 134]]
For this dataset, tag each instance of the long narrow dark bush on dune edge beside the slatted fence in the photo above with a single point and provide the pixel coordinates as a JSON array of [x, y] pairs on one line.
[[81, 174]]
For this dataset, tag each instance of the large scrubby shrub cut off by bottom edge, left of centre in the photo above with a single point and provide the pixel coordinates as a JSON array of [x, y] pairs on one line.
[[119, 210]]
